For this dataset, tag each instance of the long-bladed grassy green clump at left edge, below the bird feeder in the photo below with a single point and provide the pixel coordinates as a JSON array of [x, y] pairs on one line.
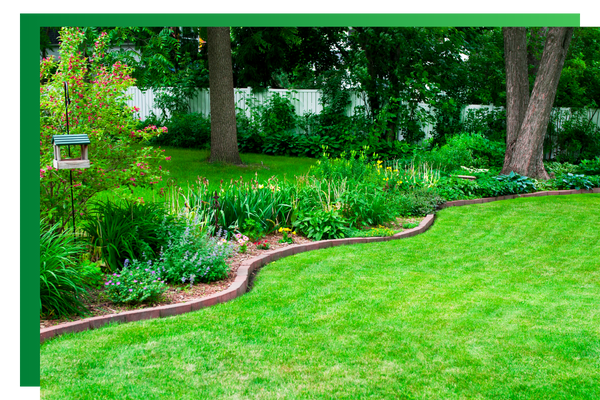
[[63, 282]]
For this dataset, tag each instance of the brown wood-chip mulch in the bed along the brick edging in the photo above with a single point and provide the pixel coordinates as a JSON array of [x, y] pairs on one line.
[[98, 305]]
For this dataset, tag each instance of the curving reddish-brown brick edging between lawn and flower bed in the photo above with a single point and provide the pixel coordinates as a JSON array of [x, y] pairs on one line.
[[240, 284]]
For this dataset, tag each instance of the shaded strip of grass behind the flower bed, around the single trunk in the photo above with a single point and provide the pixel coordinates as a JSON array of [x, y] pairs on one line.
[[186, 165]]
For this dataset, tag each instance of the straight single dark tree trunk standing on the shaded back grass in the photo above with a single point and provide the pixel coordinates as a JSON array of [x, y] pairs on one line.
[[223, 137]]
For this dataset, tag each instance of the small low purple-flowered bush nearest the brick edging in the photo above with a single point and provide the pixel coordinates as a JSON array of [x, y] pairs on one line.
[[135, 283]]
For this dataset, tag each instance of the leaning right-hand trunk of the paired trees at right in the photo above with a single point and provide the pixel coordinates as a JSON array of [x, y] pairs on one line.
[[527, 156]]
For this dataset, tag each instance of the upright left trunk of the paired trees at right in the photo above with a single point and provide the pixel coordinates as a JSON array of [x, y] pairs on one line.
[[517, 85]]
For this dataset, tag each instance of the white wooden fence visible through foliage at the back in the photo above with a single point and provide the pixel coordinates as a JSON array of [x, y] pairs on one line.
[[304, 101]]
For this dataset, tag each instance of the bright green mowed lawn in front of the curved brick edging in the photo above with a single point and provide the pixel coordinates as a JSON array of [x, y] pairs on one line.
[[495, 301]]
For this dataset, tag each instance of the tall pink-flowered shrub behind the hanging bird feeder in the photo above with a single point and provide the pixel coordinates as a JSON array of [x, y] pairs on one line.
[[98, 109]]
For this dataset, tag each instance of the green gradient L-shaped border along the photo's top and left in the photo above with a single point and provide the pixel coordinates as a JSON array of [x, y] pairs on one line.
[[28, 22]]
